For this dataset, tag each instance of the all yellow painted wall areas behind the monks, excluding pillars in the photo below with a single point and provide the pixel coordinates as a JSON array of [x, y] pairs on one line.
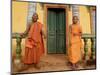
[[19, 19]]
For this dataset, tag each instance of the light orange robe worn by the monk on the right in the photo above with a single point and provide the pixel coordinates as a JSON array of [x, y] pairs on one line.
[[75, 44]]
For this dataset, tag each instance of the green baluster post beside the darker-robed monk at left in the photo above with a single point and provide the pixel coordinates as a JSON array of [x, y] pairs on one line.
[[18, 48]]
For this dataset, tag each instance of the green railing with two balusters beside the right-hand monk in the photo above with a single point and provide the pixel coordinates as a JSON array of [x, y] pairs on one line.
[[92, 38]]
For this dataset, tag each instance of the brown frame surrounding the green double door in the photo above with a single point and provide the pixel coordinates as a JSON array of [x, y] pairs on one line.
[[46, 6]]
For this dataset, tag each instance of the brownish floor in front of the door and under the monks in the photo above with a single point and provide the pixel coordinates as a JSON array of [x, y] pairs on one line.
[[53, 62]]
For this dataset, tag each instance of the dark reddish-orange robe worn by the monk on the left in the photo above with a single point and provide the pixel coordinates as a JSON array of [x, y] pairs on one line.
[[34, 46]]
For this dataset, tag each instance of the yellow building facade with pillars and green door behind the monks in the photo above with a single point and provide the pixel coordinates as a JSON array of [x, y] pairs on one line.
[[56, 19]]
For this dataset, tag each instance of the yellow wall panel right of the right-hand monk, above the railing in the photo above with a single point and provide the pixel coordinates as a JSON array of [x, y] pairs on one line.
[[84, 19]]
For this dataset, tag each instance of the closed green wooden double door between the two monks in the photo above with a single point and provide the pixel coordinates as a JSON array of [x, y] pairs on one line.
[[56, 31]]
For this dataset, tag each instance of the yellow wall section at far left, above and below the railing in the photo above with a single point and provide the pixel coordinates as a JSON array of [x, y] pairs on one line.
[[19, 20]]
